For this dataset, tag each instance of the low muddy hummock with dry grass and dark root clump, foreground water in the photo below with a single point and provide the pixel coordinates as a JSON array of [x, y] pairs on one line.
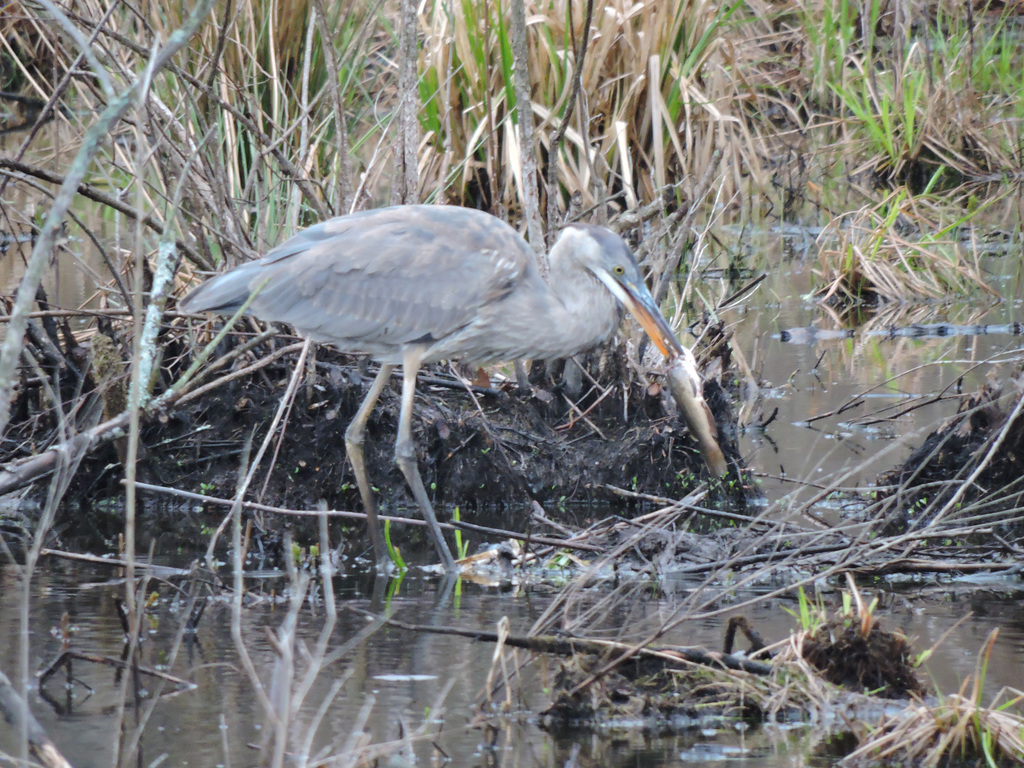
[[682, 688]]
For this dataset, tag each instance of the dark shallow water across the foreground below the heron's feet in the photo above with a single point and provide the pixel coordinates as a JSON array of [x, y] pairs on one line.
[[405, 679]]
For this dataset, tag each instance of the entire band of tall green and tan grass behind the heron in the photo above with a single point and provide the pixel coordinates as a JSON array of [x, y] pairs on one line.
[[285, 113]]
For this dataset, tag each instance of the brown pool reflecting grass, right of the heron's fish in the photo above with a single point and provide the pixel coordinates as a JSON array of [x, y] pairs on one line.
[[838, 382]]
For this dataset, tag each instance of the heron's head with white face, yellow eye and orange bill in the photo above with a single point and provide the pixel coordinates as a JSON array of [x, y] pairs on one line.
[[607, 257]]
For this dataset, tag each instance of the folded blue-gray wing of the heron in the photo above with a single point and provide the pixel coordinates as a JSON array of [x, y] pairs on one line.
[[378, 280]]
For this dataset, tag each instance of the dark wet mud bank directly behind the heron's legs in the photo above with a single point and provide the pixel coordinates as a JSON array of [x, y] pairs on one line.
[[482, 450]]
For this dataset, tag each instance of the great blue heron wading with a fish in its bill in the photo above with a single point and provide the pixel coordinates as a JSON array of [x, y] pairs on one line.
[[414, 285]]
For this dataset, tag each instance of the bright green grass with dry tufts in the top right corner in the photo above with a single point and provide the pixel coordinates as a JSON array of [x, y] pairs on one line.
[[941, 93]]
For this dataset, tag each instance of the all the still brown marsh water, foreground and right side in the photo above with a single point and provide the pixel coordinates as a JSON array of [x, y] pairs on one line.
[[397, 684]]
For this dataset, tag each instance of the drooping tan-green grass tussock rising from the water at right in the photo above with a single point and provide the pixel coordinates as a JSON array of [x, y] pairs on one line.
[[897, 250]]
